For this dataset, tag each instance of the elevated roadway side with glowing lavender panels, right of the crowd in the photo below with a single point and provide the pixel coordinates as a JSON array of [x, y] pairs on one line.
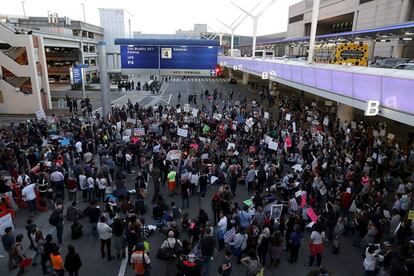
[[352, 86]]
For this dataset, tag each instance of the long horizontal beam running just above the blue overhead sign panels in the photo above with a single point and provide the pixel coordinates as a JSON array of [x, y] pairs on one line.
[[165, 42]]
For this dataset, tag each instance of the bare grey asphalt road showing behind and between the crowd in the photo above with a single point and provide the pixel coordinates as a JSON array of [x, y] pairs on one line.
[[348, 262]]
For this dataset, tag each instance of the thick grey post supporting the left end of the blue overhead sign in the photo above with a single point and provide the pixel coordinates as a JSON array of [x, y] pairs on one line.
[[104, 80]]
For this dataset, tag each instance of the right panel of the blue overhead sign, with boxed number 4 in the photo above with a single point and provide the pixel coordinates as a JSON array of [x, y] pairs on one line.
[[192, 57]]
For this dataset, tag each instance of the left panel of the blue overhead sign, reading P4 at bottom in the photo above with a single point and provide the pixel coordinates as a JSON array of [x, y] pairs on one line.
[[139, 57]]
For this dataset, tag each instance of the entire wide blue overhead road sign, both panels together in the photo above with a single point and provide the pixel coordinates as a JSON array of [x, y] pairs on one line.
[[169, 57]]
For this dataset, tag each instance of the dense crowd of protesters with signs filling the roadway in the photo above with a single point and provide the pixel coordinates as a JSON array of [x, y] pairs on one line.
[[304, 169]]
